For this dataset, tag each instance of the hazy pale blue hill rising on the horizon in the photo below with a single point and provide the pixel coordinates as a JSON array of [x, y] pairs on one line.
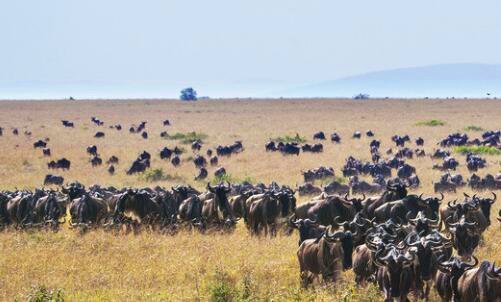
[[448, 80]]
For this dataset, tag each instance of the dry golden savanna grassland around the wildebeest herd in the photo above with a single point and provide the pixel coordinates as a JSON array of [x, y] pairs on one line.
[[100, 266]]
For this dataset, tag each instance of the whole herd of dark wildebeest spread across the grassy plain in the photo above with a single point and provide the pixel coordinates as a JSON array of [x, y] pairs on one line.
[[405, 243]]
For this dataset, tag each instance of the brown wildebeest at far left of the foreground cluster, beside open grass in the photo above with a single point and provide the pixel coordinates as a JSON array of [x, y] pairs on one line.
[[325, 256]]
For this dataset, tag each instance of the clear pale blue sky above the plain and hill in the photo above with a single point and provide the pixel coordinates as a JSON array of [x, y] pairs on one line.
[[228, 47]]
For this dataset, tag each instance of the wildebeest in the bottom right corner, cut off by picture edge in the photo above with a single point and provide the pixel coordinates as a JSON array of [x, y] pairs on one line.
[[482, 284]]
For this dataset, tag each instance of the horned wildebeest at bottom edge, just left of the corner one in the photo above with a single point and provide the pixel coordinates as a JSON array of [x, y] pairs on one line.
[[449, 272]]
